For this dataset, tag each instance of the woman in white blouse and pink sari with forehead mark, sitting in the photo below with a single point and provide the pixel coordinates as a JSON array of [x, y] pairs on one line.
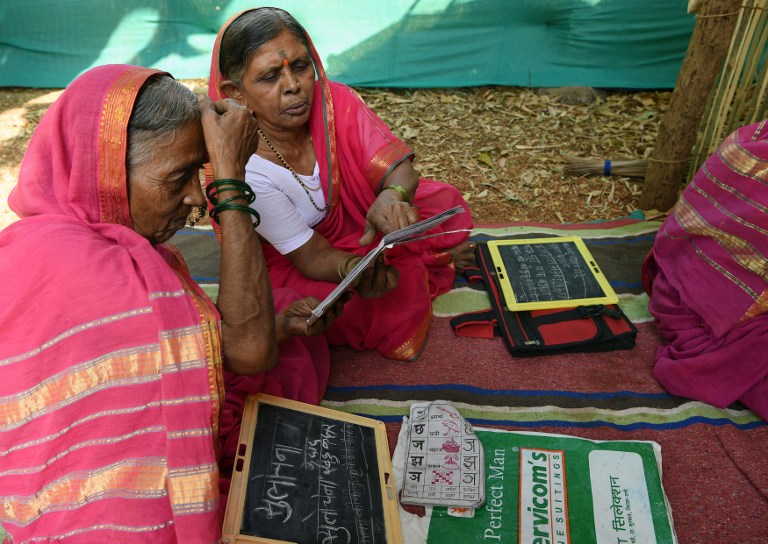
[[332, 178]]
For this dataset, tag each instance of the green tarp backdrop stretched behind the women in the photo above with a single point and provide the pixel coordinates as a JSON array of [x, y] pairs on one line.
[[377, 43]]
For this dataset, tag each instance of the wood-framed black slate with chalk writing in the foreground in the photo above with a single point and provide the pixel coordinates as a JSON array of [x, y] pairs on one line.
[[307, 474]]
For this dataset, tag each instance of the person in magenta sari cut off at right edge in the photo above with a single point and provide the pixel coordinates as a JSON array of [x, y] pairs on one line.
[[707, 277]]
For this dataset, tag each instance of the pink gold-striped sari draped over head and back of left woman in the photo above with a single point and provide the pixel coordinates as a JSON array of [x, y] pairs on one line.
[[110, 361]]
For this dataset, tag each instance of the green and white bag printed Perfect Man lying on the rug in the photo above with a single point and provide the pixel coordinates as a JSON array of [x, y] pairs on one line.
[[556, 489]]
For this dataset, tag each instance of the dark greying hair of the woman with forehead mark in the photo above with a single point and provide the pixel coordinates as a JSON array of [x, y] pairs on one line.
[[248, 33]]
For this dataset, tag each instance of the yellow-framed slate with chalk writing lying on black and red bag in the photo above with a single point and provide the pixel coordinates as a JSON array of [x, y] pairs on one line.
[[545, 273]]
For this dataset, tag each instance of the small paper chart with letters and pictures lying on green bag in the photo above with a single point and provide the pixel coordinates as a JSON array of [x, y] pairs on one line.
[[445, 464]]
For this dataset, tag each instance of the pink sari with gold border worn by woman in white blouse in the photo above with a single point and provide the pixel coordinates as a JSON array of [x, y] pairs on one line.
[[355, 151]]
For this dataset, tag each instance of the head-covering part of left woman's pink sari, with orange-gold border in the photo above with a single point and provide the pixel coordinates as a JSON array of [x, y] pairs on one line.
[[66, 172]]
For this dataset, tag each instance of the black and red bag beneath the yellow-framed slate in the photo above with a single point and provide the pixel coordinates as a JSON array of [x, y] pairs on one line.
[[540, 332]]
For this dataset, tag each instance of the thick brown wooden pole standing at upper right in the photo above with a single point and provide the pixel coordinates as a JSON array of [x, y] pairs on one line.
[[669, 161]]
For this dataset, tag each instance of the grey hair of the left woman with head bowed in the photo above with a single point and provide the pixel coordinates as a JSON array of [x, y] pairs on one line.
[[162, 108]]
